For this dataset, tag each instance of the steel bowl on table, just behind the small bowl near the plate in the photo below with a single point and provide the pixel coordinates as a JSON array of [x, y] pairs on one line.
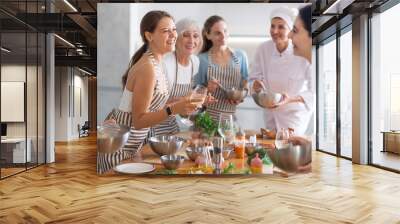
[[165, 145]]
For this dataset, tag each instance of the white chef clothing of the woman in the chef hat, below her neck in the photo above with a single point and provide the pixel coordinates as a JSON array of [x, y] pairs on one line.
[[285, 73]]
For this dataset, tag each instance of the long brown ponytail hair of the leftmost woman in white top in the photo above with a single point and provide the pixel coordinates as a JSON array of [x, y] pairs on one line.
[[148, 24]]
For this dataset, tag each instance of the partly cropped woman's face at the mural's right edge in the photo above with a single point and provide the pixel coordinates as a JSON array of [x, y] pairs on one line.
[[301, 40]]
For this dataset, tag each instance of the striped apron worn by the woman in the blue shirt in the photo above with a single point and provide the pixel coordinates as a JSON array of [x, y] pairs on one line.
[[229, 76]]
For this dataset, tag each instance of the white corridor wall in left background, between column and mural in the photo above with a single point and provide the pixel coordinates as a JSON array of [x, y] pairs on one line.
[[67, 114]]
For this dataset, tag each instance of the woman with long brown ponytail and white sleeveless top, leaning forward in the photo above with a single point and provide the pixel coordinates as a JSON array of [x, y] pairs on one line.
[[145, 88]]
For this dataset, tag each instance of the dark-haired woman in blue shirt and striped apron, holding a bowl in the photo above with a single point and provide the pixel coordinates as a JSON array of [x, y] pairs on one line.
[[220, 65]]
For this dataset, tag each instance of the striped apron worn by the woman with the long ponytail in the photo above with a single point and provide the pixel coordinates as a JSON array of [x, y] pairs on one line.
[[137, 137]]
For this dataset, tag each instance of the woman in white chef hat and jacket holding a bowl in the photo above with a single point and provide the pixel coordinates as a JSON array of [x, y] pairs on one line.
[[278, 70]]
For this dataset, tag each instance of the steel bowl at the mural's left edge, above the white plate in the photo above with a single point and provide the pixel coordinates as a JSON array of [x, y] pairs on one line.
[[111, 138]]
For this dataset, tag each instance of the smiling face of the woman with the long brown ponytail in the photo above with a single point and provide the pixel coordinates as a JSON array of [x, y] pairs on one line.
[[164, 36]]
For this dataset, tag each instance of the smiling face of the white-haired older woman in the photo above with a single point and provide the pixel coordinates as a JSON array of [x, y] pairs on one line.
[[188, 41]]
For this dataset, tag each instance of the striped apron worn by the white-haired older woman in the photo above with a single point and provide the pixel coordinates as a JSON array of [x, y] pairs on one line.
[[170, 126]]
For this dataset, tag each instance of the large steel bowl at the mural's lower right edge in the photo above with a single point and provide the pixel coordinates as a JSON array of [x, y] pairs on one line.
[[291, 158]]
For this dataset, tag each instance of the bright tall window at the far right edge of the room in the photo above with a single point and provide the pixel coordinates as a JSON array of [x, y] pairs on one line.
[[385, 89]]
